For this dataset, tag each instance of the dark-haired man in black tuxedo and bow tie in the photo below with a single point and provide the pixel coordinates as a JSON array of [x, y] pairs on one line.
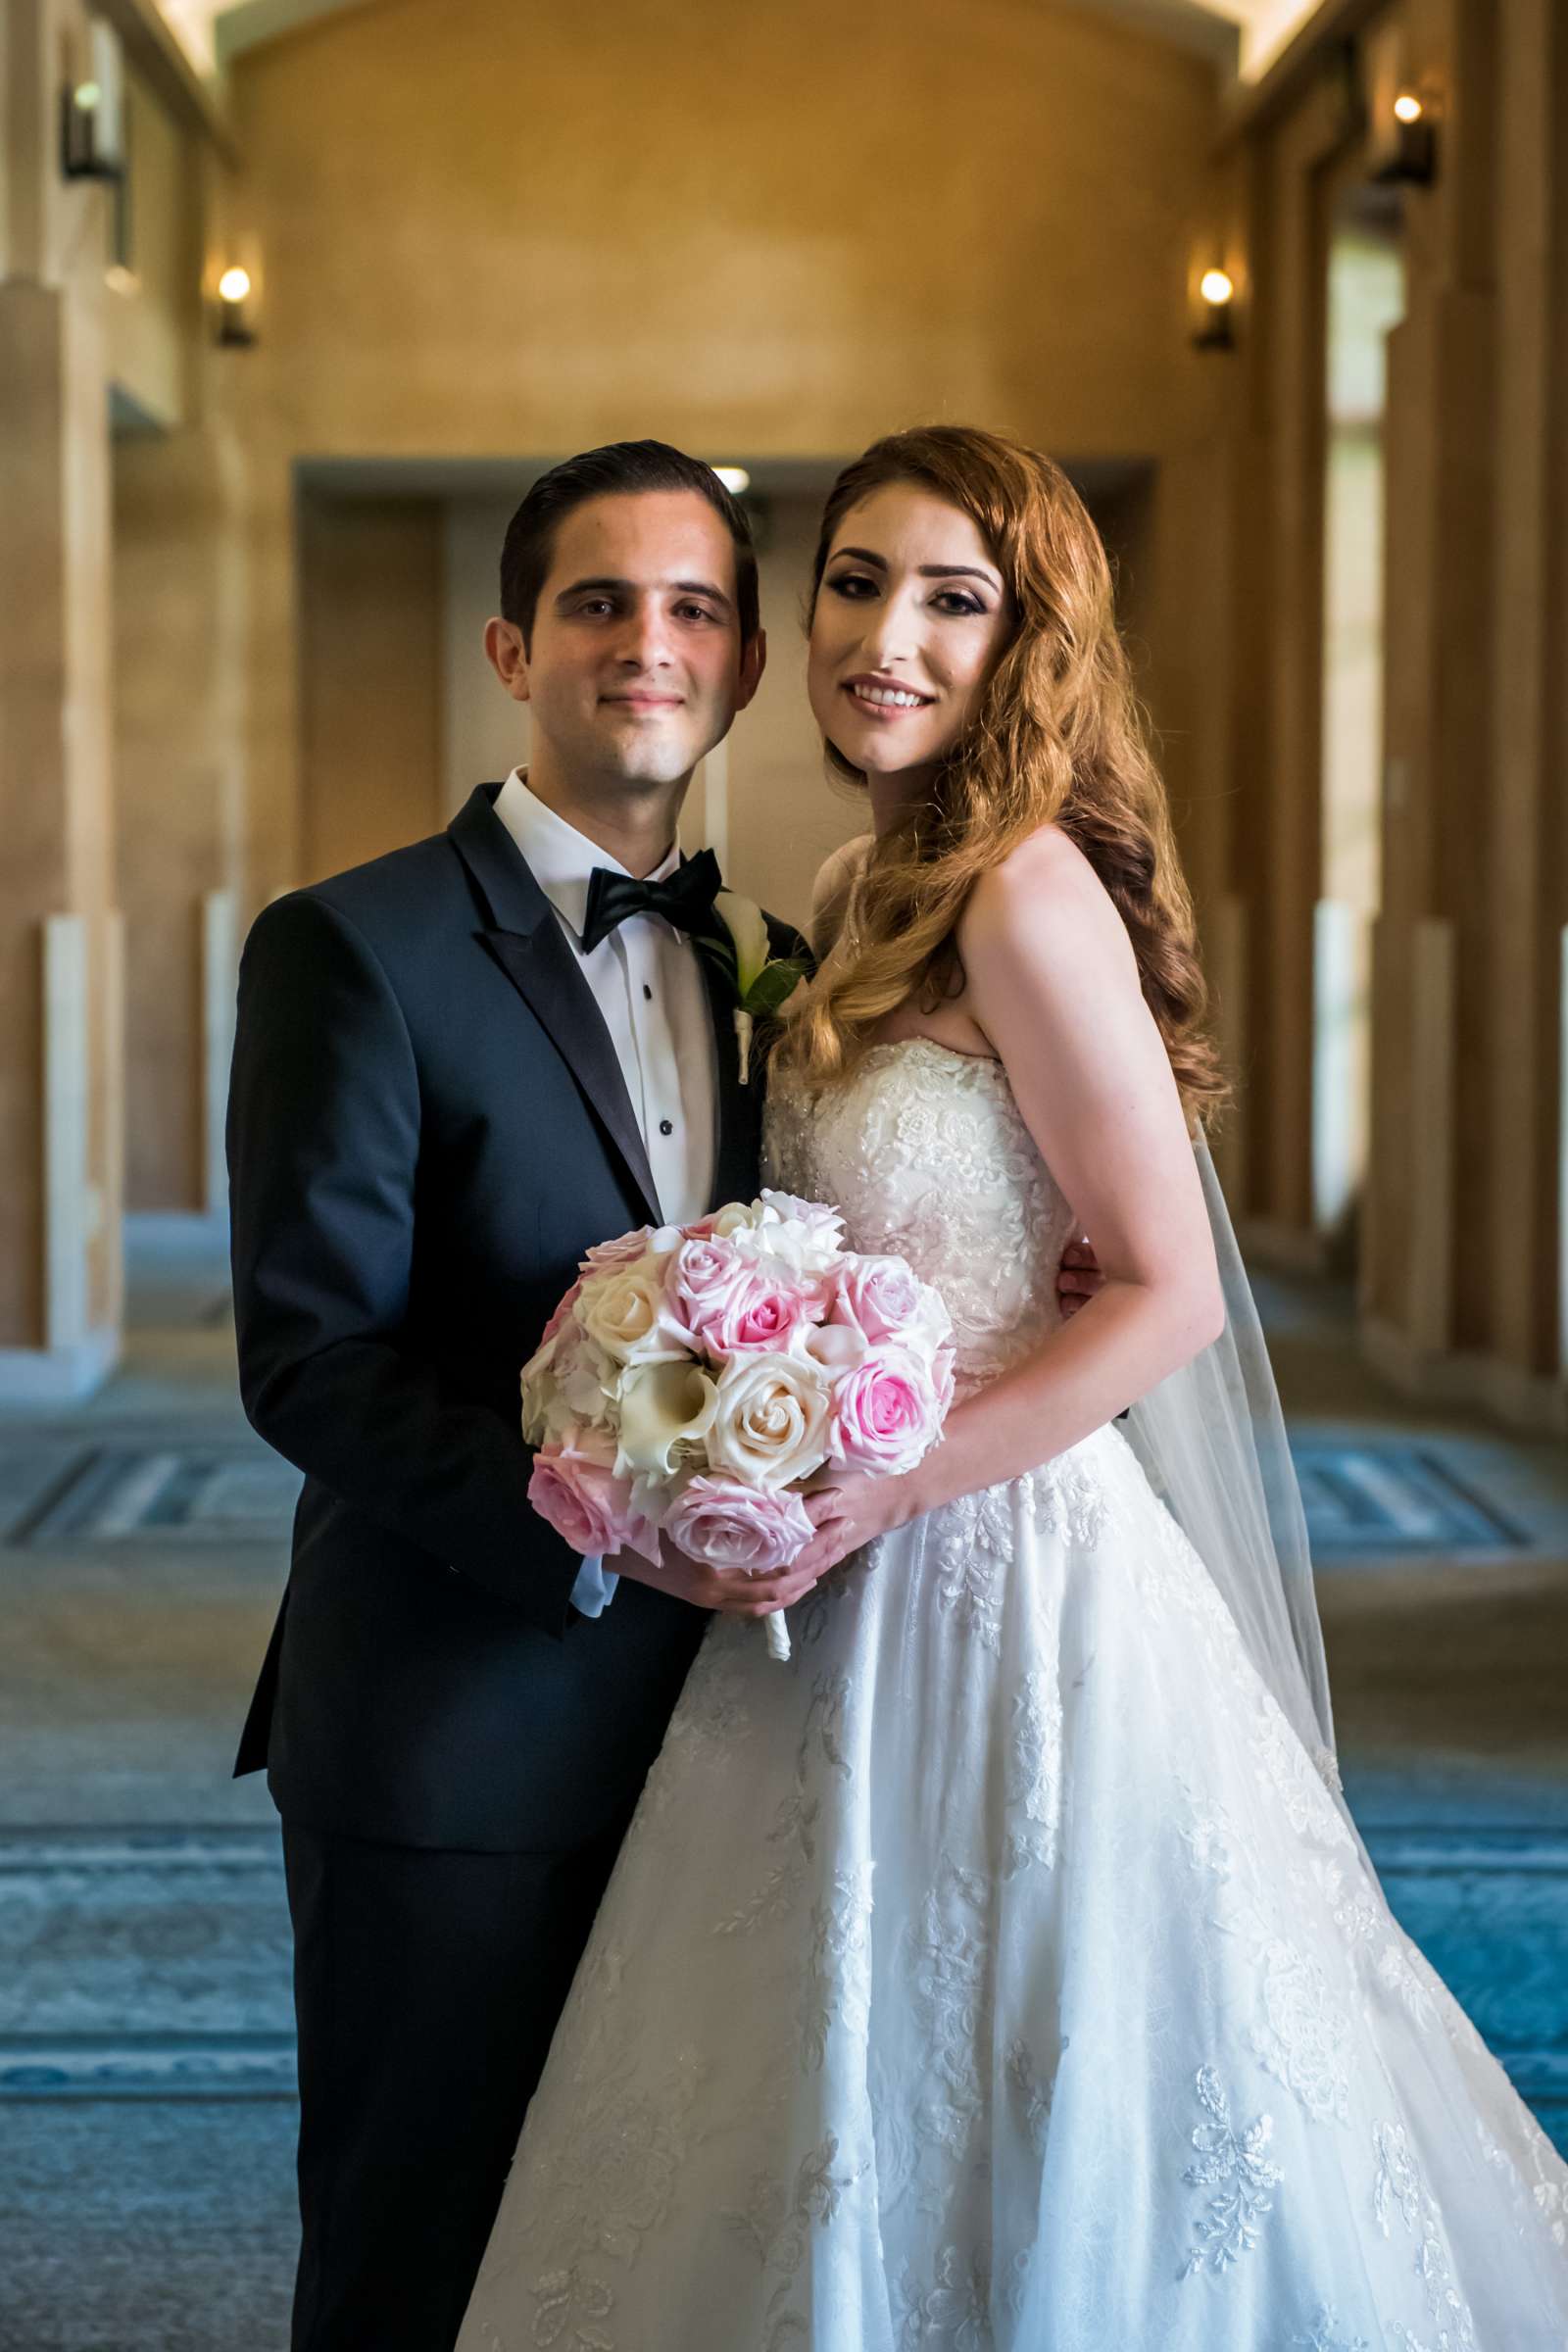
[[455, 1071]]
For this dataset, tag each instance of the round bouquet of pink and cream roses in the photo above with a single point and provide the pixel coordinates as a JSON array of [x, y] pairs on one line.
[[697, 1375]]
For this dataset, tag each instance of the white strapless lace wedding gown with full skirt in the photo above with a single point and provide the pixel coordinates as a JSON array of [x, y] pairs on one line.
[[1003, 1972]]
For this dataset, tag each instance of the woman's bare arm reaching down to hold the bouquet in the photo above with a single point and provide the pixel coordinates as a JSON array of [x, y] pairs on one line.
[[1054, 987]]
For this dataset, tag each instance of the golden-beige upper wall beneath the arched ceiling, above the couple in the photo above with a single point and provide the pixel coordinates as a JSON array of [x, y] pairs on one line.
[[490, 232]]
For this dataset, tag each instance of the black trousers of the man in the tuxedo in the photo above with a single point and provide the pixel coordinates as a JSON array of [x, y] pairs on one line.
[[427, 1989]]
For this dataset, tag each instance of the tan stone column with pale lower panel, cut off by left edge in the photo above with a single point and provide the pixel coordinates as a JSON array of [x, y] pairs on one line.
[[60, 970]]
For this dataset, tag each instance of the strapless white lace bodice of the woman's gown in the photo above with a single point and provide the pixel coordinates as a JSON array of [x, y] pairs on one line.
[[927, 1156]]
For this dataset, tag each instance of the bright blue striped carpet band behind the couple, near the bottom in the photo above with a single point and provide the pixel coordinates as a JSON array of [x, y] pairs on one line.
[[156, 1963]]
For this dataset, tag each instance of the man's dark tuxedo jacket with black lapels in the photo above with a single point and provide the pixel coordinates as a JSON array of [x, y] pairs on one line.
[[427, 1130]]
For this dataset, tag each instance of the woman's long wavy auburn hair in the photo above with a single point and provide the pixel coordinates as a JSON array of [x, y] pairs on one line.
[[1057, 740]]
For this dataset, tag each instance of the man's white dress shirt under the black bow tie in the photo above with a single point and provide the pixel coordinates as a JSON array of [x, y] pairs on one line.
[[650, 987]]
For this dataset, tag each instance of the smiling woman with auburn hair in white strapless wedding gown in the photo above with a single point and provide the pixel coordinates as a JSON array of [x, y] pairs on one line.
[[1007, 1972]]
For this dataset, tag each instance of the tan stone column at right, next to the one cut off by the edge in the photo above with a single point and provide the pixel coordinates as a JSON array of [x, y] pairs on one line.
[[1426, 1264]]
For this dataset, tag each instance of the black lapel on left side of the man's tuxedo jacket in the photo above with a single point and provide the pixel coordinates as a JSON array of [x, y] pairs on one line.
[[530, 947]]
